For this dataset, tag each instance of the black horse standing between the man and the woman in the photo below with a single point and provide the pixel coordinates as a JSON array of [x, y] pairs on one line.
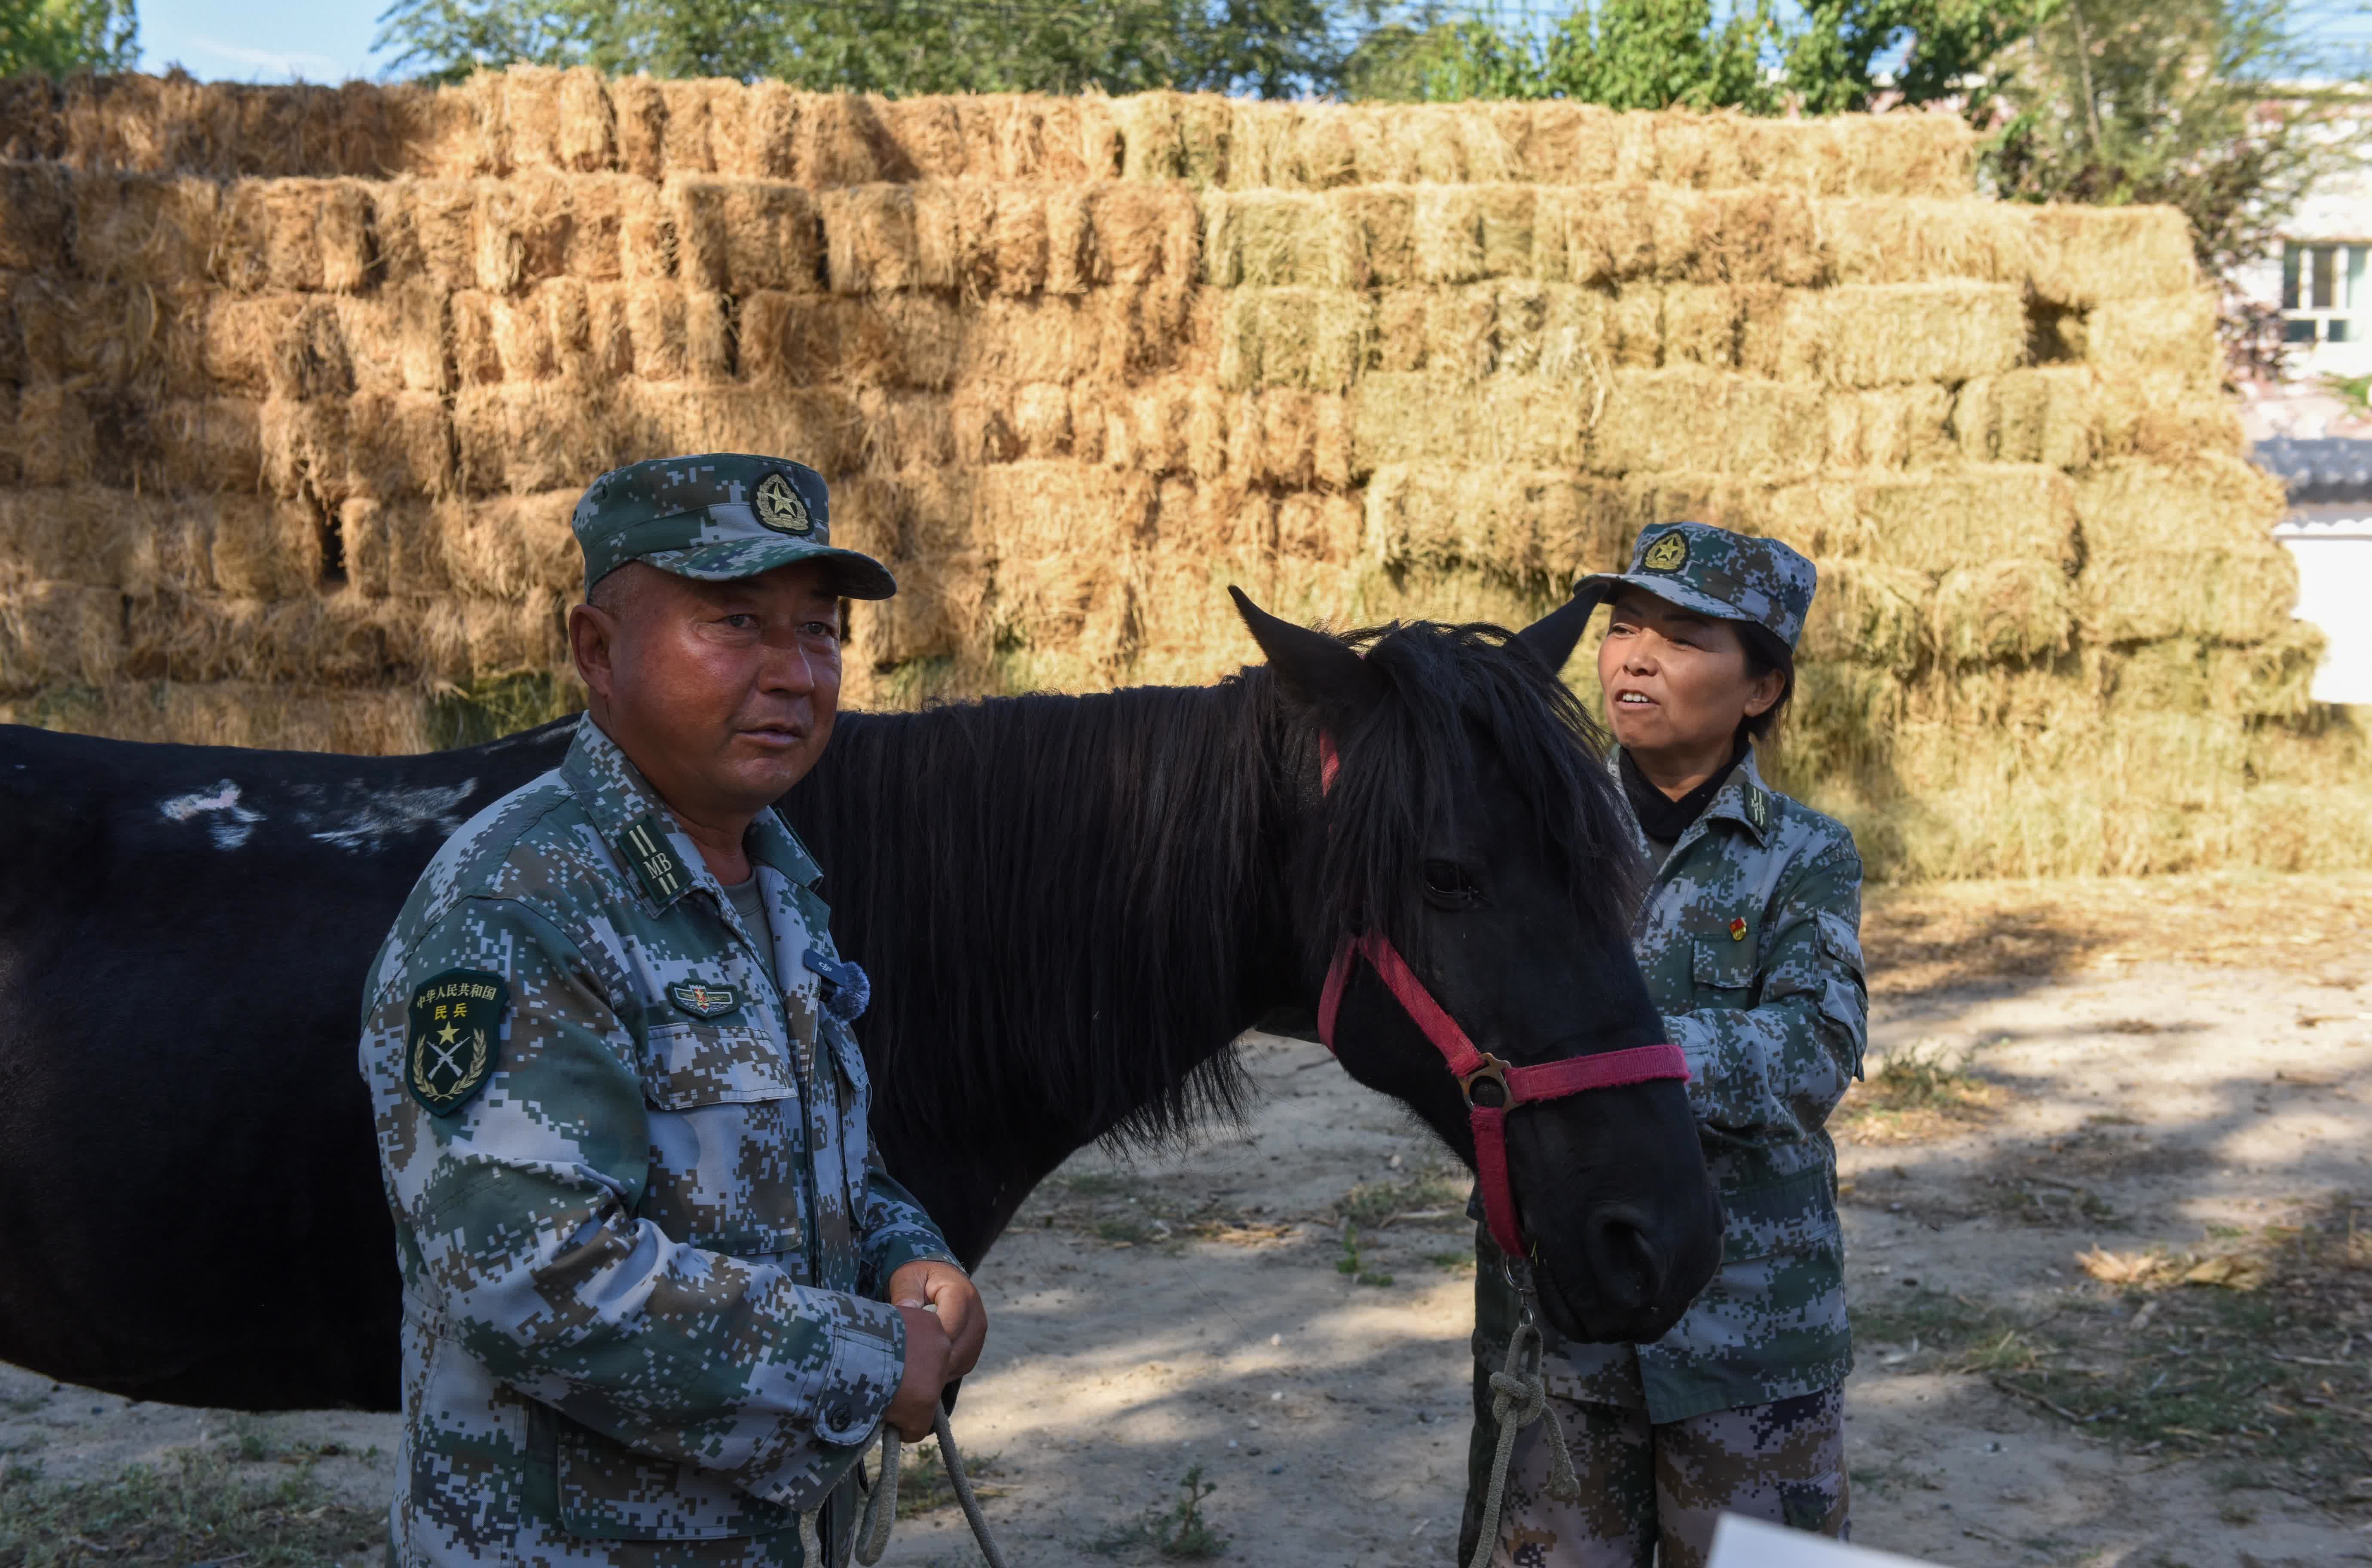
[[1069, 907]]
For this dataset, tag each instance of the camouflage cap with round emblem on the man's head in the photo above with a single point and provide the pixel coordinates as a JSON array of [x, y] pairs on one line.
[[718, 518]]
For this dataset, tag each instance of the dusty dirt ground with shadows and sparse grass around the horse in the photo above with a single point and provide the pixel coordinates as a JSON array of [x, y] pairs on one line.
[[2172, 1081]]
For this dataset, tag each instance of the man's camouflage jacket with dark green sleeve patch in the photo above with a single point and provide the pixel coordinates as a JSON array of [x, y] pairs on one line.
[[637, 1218]]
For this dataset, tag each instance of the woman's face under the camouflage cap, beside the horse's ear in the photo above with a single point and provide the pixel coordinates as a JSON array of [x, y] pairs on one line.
[[1678, 682]]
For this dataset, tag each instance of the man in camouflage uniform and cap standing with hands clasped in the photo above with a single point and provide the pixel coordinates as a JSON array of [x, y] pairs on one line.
[[649, 1254]]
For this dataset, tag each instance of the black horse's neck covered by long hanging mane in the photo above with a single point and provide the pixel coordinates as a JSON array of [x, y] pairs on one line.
[[1069, 907]]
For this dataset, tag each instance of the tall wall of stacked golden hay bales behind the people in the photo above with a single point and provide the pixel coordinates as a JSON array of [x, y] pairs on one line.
[[300, 388]]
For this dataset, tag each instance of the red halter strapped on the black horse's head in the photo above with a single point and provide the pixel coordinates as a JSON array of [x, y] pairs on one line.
[[1472, 1066]]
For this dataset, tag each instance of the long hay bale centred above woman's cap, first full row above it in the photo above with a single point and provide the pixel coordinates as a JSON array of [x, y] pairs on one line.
[[1695, 419]]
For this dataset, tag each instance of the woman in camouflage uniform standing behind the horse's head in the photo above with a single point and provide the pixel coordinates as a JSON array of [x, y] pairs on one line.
[[1752, 950]]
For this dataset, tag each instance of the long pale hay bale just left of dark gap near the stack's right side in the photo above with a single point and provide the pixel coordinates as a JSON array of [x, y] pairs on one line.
[[1875, 336]]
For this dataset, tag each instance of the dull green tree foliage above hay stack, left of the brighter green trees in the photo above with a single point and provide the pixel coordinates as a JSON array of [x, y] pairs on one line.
[[1270, 49]]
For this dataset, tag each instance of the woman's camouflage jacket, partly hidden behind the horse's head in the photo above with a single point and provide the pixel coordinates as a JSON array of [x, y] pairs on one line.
[[1752, 948]]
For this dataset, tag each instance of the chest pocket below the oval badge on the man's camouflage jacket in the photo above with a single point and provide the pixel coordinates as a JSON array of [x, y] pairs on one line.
[[727, 1140]]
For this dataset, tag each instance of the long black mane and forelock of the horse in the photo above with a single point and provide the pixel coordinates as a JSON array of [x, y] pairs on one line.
[[1066, 903]]
